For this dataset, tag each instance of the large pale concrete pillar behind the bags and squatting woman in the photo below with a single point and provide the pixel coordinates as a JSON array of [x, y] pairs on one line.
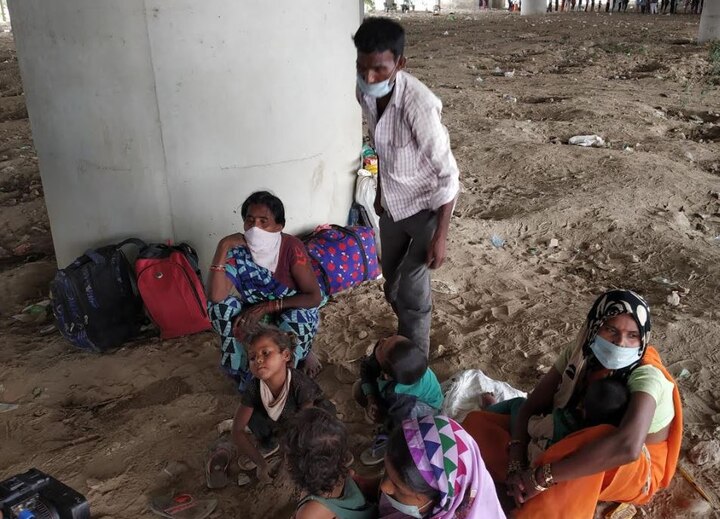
[[156, 118]]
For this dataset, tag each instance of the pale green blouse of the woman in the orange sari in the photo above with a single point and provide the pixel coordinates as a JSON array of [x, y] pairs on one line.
[[647, 379]]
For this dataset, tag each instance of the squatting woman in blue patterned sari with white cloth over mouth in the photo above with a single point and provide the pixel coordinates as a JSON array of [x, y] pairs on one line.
[[262, 275]]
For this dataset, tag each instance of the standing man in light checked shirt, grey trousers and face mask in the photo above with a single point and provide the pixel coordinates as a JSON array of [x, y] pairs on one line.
[[418, 178]]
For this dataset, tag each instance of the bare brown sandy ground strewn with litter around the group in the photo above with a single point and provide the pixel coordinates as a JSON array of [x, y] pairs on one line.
[[642, 213]]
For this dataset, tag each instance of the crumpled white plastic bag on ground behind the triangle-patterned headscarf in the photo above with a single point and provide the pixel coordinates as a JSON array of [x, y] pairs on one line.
[[463, 391]]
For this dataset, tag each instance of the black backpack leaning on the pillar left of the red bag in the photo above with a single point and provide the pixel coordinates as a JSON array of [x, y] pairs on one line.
[[95, 301]]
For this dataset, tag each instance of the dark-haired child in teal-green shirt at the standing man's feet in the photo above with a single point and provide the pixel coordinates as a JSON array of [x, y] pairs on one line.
[[395, 384]]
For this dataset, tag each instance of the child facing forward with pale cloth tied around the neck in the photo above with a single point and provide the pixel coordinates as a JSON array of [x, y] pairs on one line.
[[273, 397]]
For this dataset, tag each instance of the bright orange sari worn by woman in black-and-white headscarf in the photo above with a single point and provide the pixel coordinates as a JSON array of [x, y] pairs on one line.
[[634, 482]]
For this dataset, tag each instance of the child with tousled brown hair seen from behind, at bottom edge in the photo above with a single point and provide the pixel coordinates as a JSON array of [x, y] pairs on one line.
[[315, 448]]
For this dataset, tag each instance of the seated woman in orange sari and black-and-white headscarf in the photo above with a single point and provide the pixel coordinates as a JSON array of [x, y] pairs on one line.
[[628, 463]]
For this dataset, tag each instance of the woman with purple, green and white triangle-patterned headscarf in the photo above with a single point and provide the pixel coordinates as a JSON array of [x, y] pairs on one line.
[[433, 469]]
